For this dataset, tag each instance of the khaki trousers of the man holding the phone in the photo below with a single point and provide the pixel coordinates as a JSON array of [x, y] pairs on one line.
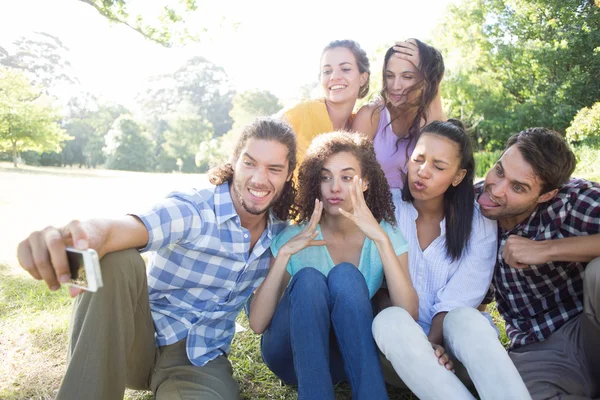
[[112, 345]]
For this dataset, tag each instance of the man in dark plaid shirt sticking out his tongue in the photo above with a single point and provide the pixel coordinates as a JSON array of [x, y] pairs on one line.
[[547, 279]]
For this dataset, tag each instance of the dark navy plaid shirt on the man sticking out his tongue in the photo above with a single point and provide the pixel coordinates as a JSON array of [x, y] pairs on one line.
[[538, 300]]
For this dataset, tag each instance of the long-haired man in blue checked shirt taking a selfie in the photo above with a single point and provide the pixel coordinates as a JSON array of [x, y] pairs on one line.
[[170, 330]]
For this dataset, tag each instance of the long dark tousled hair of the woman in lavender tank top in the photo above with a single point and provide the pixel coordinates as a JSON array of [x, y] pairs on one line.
[[431, 70]]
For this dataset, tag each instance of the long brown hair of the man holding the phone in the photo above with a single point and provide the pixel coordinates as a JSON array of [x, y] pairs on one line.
[[265, 129]]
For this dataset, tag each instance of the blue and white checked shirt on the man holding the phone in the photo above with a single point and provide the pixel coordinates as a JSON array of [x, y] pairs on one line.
[[203, 271]]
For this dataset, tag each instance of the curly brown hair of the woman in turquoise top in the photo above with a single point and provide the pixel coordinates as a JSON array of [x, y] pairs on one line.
[[378, 196]]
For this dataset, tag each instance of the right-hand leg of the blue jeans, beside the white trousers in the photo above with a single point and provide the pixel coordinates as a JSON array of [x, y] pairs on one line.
[[352, 318]]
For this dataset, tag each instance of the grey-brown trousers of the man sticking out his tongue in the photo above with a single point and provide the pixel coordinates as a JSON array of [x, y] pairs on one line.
[[567, 364]]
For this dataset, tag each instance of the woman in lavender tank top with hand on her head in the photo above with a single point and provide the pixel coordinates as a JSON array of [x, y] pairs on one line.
[[409, 99]]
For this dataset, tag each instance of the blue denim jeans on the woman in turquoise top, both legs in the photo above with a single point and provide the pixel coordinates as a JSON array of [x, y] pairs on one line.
[[320, 334]]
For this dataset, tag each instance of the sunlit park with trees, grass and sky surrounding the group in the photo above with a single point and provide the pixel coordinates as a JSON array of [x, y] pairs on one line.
[[160, 89]]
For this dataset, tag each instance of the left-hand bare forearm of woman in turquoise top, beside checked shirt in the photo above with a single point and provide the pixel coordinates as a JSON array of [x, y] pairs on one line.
[[268, 294]]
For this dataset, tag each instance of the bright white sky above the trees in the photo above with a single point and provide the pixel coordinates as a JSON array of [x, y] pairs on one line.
[[264, 44]]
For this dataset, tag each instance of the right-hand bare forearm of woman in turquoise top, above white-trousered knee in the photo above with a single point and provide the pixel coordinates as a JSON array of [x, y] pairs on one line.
[[402, 293]]
